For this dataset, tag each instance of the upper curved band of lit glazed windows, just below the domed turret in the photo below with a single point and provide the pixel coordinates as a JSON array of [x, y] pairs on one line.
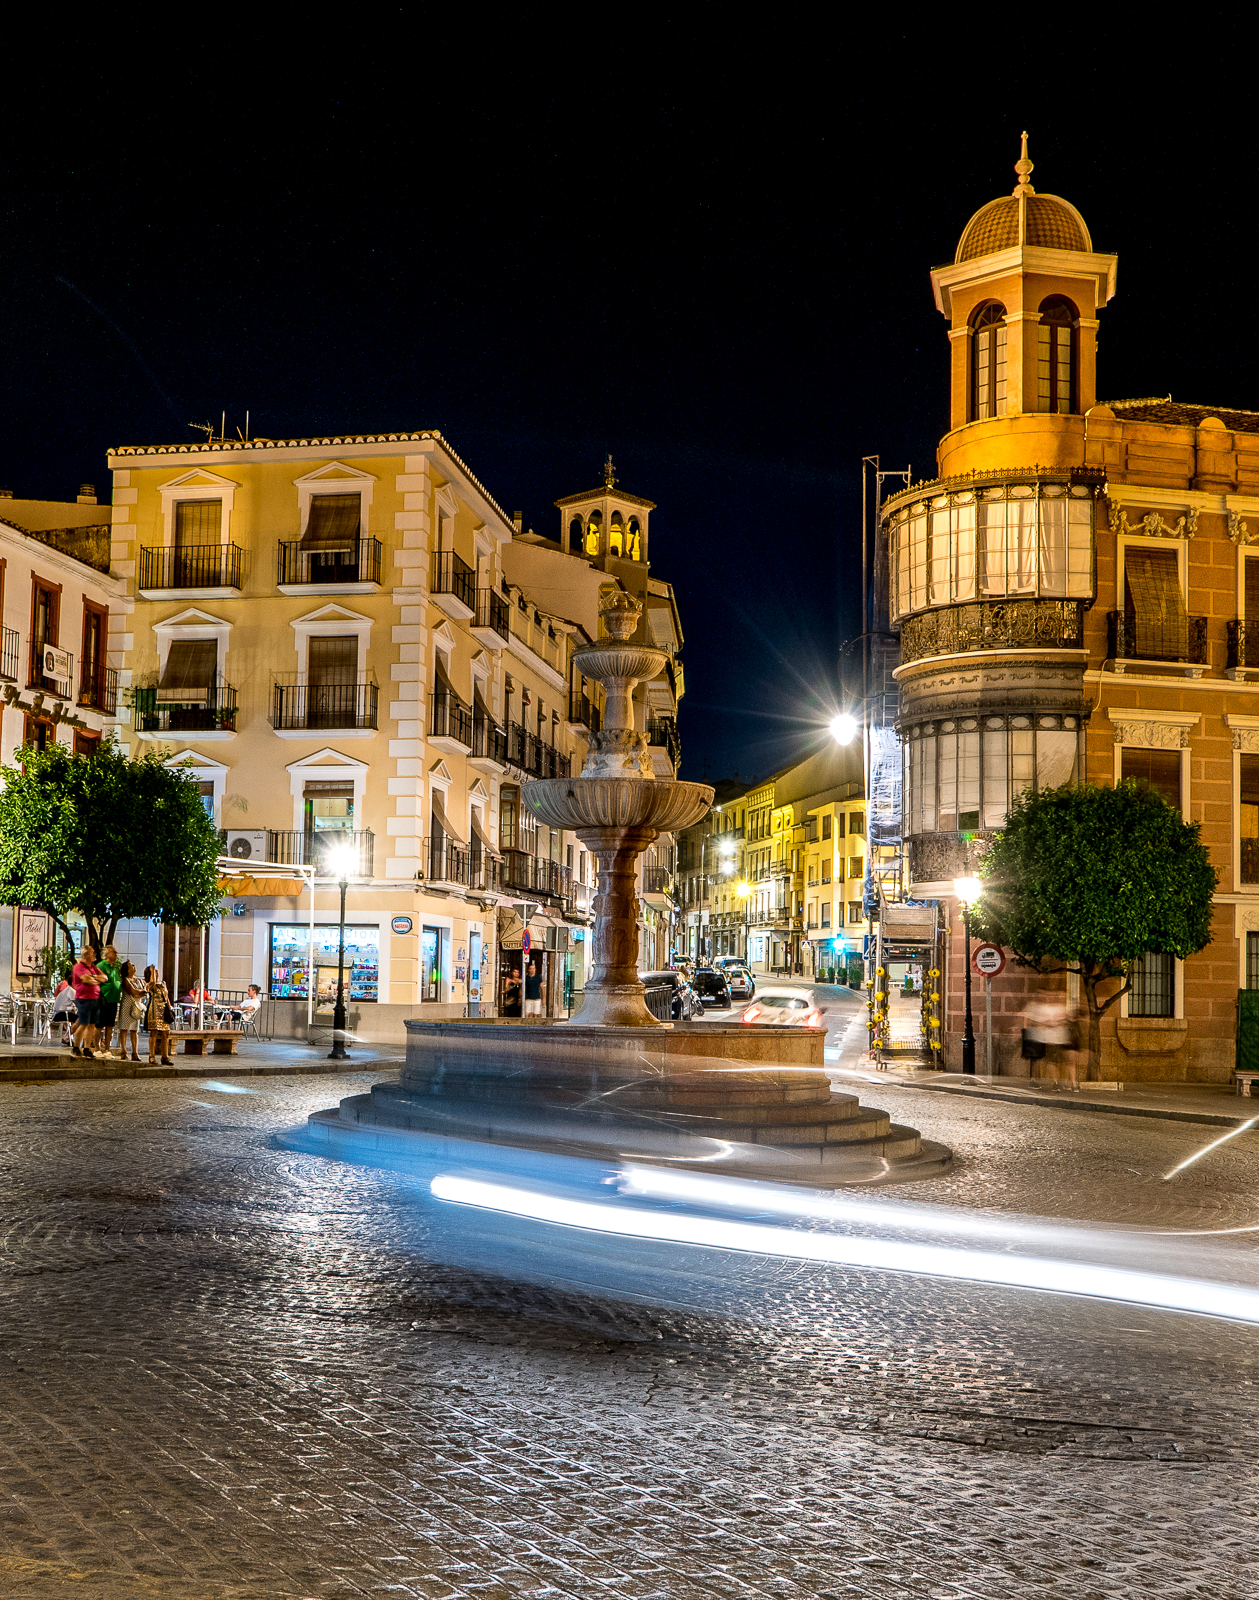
[[1010, 542]]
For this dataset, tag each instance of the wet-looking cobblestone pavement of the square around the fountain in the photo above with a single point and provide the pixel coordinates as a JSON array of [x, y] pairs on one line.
[[230, 1370]]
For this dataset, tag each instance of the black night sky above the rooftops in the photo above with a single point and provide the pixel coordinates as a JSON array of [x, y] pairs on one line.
[[717, 270]]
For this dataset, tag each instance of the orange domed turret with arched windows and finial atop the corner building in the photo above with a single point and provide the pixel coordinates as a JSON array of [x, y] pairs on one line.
[[1021, 297]]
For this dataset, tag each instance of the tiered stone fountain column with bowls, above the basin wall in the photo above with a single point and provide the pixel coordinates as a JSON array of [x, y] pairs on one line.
[[618, 807]]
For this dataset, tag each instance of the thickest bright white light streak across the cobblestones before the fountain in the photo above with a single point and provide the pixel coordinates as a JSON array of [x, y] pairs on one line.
[[972, 1266]]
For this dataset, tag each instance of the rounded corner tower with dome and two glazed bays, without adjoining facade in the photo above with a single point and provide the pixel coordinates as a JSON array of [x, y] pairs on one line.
[[991, 567]]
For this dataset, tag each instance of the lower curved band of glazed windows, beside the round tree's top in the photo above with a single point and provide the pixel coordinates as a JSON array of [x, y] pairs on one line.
[[965, 775]]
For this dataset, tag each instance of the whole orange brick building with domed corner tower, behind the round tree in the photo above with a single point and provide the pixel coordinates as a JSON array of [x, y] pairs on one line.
[[1073, 596]]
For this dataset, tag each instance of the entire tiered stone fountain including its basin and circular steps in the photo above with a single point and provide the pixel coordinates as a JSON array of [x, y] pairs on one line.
[[614, 1079]]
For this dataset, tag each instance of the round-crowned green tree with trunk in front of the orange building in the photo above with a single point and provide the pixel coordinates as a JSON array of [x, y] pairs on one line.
[[1087, 879]]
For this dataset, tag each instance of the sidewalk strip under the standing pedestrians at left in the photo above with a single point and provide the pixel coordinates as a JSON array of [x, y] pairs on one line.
[[42, 1063]]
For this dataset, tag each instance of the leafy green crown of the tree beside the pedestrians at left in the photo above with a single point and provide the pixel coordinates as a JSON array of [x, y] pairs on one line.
[[108, 838]]
